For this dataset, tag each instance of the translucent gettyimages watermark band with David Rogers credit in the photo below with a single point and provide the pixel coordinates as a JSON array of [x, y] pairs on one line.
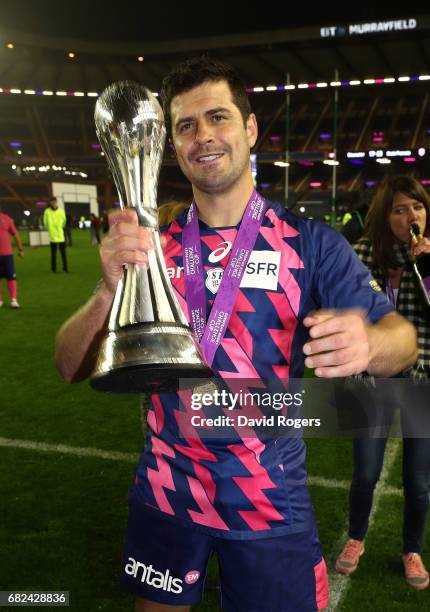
[[355, 407]]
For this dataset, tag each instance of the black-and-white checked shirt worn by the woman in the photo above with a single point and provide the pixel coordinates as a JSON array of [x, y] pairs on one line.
[[408, 304]]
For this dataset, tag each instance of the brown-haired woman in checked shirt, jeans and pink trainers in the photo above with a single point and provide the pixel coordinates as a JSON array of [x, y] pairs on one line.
[[387, 251]]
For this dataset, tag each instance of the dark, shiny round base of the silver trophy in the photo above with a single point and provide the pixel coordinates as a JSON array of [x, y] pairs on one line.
[[148, 358]]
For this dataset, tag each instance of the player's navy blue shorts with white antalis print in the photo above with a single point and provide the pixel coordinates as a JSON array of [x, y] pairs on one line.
[[167, 563]]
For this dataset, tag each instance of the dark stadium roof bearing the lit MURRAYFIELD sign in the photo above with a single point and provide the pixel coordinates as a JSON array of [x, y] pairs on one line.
[[107, 38]]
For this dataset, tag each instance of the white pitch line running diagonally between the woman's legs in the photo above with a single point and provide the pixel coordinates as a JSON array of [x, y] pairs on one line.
[[339, 583]]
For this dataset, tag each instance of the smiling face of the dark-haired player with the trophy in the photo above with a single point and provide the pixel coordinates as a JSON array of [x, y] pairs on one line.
[[212, 143]]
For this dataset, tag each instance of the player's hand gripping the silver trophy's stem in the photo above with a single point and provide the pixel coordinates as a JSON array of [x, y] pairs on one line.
[[126, 243]]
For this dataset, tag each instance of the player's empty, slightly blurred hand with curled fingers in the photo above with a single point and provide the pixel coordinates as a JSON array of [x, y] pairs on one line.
[[339, 343]]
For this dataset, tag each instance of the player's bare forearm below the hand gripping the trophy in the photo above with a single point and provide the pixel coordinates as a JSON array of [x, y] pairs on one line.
[[79, 338]]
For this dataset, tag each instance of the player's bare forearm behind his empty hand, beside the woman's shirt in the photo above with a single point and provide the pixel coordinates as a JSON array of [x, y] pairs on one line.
[[393, 345]]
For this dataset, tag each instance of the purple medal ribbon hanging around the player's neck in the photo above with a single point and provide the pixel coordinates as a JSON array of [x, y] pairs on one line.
[[211, 334]]
